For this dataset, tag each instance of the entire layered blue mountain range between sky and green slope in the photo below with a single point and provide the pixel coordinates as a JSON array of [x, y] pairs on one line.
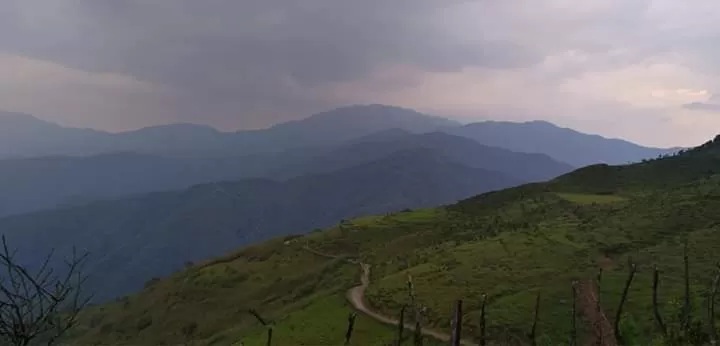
[[145, 202]]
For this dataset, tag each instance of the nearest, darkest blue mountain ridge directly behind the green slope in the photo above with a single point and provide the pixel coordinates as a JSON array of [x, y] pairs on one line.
[[137, 238]]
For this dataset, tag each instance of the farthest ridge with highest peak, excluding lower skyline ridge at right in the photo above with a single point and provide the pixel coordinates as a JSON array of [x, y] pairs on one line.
[[25, 136]]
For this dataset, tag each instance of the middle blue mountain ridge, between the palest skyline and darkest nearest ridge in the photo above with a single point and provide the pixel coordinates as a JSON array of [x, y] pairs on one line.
[[41, 183]]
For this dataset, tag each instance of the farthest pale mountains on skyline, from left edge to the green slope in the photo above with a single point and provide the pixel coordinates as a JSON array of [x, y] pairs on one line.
[[23, 136]]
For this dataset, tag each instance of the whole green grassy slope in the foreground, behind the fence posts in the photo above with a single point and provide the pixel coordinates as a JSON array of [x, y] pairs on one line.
[[509, 244]]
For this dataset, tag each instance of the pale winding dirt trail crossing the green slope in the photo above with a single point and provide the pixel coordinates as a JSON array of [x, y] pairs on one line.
[[356, 297]]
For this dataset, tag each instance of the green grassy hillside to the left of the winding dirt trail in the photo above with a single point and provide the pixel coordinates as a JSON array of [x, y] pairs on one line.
[[301, 293]]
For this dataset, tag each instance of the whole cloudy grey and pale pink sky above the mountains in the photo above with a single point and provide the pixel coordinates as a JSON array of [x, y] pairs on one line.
[[643, 70]]
